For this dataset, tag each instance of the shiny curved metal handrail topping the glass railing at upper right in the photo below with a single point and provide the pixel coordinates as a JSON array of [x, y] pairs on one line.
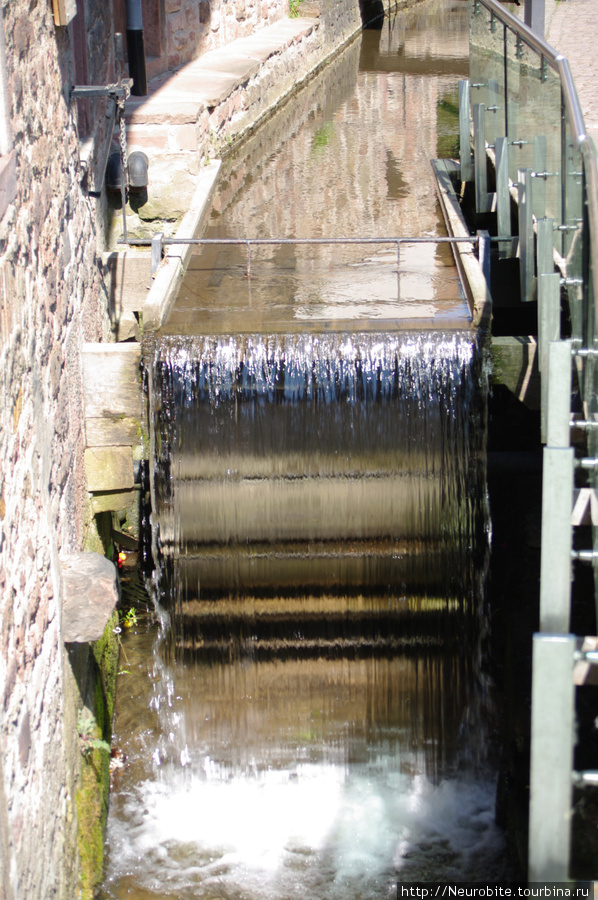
[[583, 143]]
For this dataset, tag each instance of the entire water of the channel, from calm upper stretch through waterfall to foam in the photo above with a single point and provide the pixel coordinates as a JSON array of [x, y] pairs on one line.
[[311, 715]]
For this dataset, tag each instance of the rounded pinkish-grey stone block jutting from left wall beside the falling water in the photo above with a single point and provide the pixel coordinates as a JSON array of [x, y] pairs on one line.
[[89, 595]]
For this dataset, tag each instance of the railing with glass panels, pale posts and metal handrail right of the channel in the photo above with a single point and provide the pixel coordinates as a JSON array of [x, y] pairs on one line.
[[526, 111]]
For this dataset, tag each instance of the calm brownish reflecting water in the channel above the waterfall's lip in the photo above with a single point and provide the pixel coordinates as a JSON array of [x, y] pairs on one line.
[[350, 157]]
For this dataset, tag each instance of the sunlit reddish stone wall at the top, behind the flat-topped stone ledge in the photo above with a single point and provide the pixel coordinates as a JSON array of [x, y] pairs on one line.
[[195, 26]]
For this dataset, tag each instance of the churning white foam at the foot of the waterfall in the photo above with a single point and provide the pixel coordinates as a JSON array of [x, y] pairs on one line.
[[319, 831]]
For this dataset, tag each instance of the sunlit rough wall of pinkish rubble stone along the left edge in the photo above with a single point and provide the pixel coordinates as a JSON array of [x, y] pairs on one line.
[[52, 298]]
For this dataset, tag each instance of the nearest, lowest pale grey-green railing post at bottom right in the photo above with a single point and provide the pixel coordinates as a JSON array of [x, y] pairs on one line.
[[552, 738]]
